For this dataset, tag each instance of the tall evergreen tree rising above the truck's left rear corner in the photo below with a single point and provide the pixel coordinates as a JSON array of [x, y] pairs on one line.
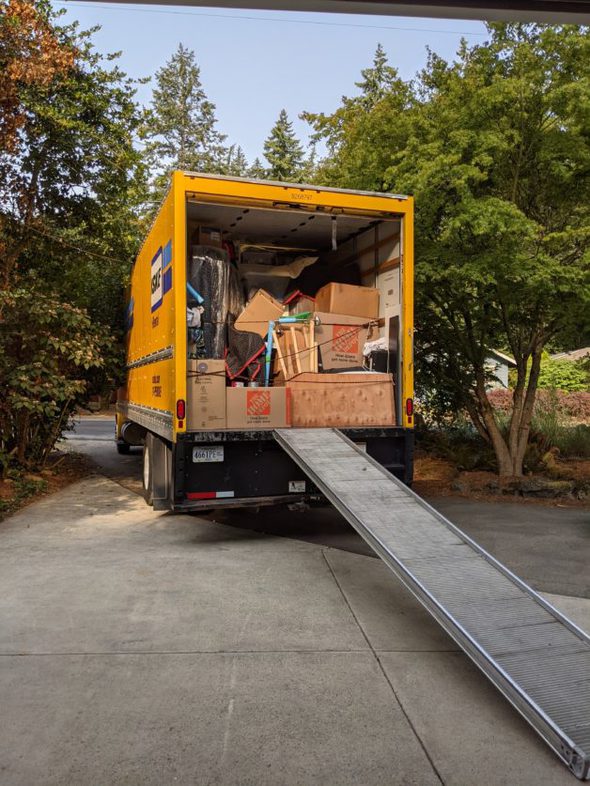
[[181, 125]]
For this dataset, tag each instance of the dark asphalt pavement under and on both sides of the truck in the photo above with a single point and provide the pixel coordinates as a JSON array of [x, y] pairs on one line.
[[549, 547]]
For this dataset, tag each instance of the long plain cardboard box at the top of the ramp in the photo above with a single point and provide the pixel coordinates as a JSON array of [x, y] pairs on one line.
[[341, 400]]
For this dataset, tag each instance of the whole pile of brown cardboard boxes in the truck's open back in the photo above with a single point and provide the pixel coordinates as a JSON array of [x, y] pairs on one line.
[[344, 318]]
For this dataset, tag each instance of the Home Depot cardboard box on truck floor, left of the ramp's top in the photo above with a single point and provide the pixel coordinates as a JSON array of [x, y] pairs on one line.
[[258, 408]]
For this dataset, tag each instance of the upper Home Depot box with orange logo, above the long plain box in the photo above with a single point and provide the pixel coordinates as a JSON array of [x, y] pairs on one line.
[[341, 339]]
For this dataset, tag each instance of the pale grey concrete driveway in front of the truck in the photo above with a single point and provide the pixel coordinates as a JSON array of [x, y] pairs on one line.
[[147, 648]]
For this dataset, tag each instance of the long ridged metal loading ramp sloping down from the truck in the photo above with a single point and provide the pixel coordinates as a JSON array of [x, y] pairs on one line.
[[534, 655]]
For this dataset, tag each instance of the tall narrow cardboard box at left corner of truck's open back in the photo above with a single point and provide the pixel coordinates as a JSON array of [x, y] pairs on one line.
[[205, 394]]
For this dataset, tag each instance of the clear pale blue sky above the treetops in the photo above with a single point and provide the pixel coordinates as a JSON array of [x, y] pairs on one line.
[[254, 63]]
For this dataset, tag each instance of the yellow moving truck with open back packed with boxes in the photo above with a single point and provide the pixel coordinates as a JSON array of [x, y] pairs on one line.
[[281, 269]]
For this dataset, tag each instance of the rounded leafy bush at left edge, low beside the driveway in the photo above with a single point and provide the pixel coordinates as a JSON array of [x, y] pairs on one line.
[[47, 348]]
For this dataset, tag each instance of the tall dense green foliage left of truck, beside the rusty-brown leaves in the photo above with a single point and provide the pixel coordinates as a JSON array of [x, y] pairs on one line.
[[70, 190]]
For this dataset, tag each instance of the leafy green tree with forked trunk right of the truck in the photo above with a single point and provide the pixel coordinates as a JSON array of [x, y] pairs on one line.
[[495, 147]]
